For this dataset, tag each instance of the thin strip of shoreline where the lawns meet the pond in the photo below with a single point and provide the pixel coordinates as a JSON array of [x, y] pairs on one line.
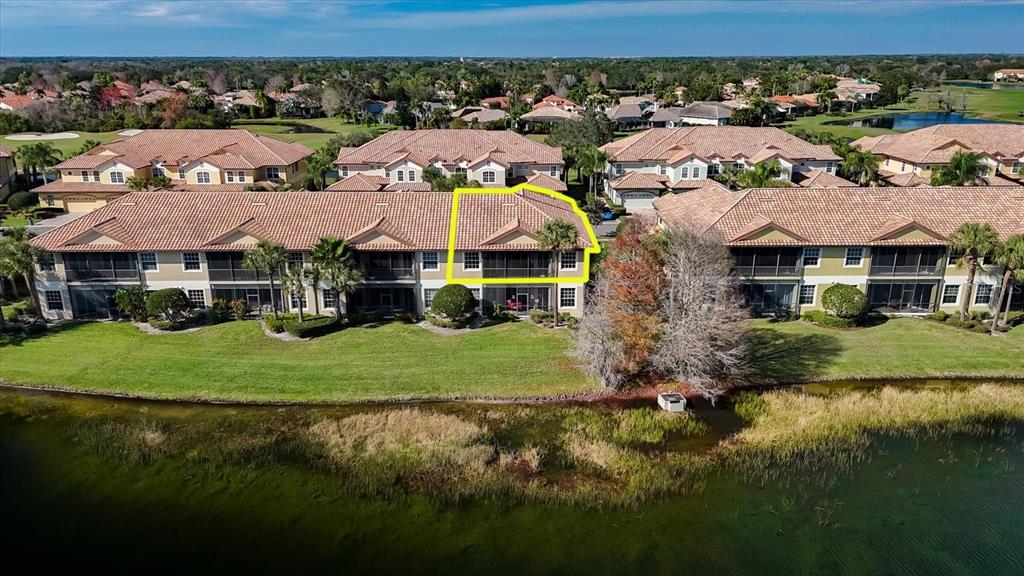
[[605, 396]]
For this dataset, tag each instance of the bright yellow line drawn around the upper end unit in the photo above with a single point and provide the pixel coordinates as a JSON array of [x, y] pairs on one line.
[[450, 268]]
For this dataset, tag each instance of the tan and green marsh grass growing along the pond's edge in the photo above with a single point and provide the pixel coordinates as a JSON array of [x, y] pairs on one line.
[[588, 458]]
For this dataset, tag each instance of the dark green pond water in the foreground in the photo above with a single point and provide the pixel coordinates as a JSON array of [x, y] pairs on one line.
[[948, 506]]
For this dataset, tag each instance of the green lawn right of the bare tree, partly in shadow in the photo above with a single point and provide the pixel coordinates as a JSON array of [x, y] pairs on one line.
[[900, 349]]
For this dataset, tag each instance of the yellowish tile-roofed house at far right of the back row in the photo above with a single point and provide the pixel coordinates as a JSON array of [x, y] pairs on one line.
[[910, 158]]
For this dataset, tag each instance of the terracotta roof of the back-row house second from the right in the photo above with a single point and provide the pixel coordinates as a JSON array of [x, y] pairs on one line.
[[724, 142]]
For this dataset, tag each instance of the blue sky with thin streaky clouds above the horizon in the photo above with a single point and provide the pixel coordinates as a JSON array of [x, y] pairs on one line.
[[525, 28]]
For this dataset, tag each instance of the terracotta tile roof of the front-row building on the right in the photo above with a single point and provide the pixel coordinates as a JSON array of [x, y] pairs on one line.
[[843, 217]]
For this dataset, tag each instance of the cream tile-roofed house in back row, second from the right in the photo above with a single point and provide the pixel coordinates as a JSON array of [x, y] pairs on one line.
[[688, 158]]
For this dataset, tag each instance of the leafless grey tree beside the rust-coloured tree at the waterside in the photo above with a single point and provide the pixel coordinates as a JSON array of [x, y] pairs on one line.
[[704, 339]]
